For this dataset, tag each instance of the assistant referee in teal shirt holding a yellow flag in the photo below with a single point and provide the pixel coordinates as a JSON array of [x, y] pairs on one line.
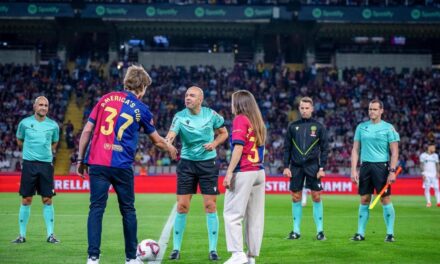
[[375, 139]]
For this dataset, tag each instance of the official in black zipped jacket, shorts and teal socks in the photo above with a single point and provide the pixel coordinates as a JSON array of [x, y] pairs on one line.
[[305, 157]]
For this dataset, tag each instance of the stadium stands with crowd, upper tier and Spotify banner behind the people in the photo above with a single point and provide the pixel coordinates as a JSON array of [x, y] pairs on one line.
[[341, 53]]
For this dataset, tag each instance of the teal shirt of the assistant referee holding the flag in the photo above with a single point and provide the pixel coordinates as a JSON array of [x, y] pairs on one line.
[[375, 140]]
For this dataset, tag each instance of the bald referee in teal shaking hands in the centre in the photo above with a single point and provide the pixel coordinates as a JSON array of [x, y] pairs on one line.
[[197, 127]]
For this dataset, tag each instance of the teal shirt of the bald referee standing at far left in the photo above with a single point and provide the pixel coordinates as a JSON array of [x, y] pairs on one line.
[[38, 137]]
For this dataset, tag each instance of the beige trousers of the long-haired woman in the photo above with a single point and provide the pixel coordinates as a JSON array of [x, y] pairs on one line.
[[244, 202]]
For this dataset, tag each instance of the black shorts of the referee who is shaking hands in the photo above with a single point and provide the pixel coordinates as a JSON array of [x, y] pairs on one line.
[[192, 173]]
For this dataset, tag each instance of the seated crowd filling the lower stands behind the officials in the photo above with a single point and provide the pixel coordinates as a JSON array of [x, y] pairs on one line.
[[341, 101]]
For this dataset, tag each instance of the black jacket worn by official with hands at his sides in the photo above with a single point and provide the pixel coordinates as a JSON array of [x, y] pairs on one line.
[[306, 141]]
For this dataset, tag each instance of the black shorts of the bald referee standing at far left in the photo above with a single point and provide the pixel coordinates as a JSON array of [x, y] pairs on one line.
[[37, 176]]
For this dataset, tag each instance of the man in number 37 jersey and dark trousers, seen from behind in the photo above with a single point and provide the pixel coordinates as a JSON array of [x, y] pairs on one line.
[[111, 135]]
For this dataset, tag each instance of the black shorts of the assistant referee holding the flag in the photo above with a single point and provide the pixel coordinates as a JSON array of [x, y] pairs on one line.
[[373, 176]]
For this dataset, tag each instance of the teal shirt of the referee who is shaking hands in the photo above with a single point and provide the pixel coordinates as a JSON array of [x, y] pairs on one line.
[[195, 131]]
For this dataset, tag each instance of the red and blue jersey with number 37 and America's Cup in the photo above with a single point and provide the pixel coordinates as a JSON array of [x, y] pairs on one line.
[[117, 117]]
